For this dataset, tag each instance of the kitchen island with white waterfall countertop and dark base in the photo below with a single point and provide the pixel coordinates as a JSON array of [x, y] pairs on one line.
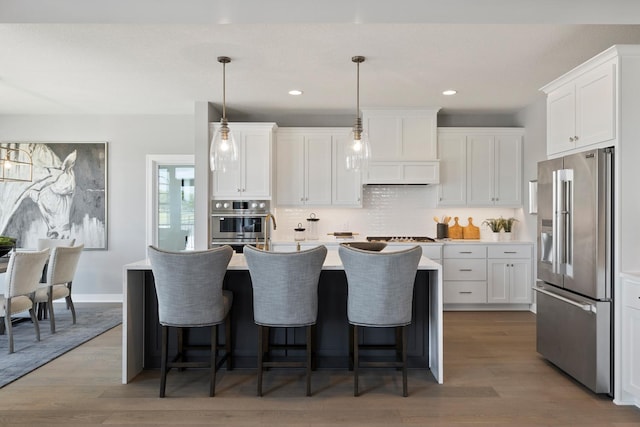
[[140, 337]]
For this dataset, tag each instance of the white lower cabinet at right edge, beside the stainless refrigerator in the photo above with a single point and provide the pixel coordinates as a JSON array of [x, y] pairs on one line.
[[631, 339]]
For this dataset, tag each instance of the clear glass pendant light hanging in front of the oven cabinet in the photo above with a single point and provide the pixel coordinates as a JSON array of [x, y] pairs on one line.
[[223, 152]]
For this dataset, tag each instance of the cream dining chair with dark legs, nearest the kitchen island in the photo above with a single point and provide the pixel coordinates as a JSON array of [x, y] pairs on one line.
[[61, 268]]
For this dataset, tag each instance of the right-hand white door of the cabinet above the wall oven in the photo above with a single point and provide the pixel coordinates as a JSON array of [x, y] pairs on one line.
[[256, 166]]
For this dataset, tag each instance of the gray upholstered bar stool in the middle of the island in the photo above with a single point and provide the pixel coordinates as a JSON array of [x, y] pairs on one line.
[[285, 295]]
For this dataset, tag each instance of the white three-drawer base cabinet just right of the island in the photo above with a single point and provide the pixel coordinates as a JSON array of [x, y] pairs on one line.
[[464, 269]]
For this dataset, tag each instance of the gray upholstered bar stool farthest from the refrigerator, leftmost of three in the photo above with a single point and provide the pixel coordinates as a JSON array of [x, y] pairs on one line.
[[190, 295]]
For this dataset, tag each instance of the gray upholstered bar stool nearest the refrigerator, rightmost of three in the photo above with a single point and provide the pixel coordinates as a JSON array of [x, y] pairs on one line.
[[380, 295]]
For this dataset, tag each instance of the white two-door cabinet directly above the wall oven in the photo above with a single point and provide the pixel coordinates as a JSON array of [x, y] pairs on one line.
[[252, 179]]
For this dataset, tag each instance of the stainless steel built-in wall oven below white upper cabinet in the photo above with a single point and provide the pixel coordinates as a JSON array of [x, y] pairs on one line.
[[239, 222]]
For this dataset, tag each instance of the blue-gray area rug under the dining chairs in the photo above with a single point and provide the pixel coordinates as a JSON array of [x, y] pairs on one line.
[[30, 354]]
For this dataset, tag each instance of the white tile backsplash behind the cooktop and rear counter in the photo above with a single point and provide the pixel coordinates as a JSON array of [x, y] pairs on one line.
[[388, 210]]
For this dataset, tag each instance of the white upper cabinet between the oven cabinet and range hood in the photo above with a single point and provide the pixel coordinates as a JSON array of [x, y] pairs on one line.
[[311, 169]]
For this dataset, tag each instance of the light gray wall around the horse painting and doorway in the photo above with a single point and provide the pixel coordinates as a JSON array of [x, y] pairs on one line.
[[130, 139]]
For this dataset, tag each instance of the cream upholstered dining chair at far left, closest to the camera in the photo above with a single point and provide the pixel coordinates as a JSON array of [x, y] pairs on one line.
[[21, 281]]
